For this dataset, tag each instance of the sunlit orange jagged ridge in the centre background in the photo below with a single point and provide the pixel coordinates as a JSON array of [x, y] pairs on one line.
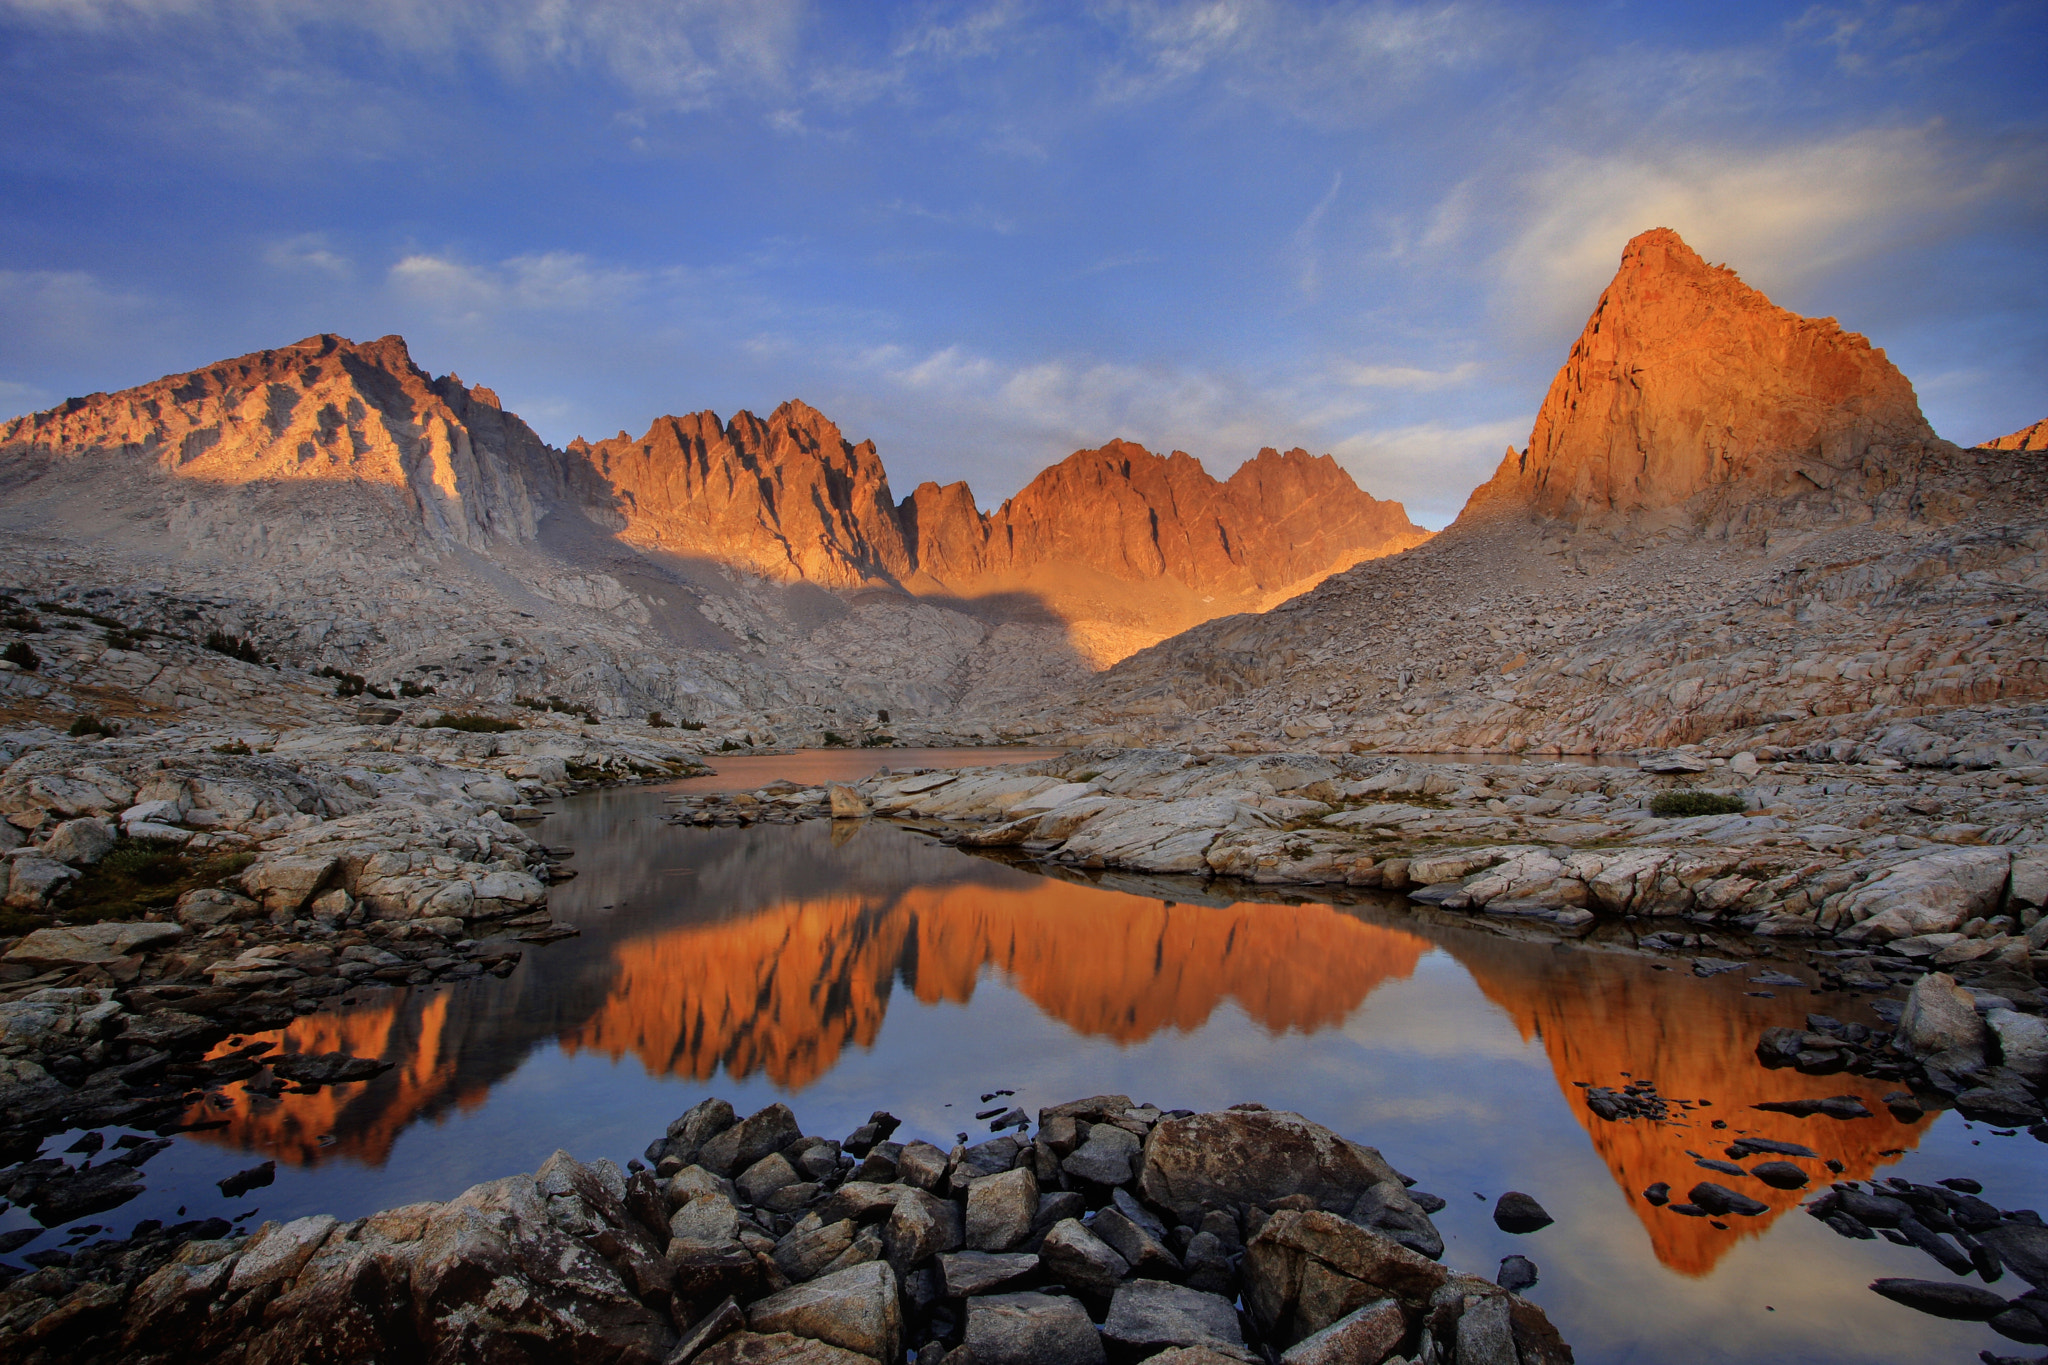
[[1138, 543]]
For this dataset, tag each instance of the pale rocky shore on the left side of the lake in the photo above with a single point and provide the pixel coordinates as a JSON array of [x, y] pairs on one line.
[[165, 891]]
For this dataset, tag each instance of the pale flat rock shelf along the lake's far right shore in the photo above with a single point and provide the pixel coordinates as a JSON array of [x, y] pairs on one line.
[[1797, 846]]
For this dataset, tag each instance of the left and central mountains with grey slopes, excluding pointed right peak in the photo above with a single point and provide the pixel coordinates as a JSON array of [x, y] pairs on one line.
[[341, 509]]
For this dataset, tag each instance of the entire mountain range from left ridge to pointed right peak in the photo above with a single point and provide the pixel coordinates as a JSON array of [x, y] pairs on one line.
[[1732, 525]]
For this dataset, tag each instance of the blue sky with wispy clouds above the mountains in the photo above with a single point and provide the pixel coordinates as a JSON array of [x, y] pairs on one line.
[[990, 234]]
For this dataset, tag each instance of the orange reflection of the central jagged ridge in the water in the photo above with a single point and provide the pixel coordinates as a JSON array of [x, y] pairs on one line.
[[790, 987]]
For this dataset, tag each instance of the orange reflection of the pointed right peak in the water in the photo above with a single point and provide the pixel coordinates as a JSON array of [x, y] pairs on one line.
[[1605, 1020]]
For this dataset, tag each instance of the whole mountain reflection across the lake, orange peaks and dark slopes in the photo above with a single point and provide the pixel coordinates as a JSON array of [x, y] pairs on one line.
[[771, 951]]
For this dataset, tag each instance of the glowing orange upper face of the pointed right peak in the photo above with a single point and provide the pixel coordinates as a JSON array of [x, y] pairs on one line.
[[1691, 384]]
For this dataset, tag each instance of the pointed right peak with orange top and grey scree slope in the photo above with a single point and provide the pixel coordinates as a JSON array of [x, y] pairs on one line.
[[1732, 527]]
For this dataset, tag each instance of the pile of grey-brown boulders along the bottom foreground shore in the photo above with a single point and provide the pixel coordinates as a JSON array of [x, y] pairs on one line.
[[1105, 1231]]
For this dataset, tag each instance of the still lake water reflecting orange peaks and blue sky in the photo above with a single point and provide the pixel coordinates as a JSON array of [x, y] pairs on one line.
[[857, 967]]
